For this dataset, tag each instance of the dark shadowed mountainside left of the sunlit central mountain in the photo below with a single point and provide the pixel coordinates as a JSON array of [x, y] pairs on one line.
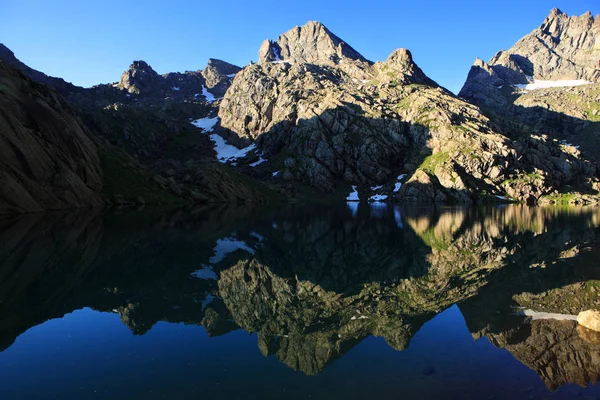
[[139, 129]]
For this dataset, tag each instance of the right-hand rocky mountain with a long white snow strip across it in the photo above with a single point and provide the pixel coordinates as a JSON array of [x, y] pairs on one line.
[[548, 82]]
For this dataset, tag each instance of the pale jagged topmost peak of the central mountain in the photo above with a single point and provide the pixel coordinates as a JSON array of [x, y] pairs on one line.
[[312, 43]]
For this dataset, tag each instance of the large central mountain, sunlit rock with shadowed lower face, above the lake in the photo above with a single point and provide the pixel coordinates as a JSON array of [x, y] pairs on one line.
[[322, 115]]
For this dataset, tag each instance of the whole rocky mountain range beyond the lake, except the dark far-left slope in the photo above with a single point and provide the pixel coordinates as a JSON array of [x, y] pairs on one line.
[[314, 119]]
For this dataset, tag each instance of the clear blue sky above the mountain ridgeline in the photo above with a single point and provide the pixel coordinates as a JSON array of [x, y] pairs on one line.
[[91, 41]]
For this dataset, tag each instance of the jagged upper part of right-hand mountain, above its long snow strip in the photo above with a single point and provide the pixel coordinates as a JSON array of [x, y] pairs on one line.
[[562, 48]]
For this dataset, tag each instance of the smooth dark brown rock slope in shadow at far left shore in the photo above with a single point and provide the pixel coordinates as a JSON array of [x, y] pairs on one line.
[[48, 160]]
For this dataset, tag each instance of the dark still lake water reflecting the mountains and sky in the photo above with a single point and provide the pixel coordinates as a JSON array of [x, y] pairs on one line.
[[299, 302]]
